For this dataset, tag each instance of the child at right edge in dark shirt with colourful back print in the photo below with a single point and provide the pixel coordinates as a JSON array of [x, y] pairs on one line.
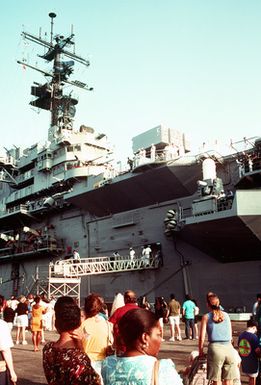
[[248, 346]]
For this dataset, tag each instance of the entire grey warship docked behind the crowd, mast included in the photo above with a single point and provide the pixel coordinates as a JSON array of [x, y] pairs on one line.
[[71, 223]]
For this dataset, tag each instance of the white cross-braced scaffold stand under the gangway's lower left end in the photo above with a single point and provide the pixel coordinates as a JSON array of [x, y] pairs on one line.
[[58, 287]]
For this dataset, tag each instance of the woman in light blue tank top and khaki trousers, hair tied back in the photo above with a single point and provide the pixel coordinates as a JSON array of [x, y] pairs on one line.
[[221, 362]]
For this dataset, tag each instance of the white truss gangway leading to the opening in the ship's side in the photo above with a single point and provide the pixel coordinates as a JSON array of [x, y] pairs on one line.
[[101, 265]]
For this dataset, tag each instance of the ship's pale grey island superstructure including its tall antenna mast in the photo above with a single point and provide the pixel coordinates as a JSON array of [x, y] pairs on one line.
[[39, 176]]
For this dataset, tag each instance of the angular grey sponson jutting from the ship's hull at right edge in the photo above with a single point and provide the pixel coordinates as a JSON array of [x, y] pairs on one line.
[[229, 235]]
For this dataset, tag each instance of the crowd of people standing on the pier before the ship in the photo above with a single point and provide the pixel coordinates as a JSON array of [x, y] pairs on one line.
[[96, 348]]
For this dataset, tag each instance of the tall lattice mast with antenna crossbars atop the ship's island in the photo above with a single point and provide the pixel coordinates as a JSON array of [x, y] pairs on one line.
[[50, 96]]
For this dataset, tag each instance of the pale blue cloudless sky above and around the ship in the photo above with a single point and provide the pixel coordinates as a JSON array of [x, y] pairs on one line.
[[193, 65]]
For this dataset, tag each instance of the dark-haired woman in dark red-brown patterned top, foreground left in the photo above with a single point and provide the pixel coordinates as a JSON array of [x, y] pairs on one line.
[[64, 361]]
